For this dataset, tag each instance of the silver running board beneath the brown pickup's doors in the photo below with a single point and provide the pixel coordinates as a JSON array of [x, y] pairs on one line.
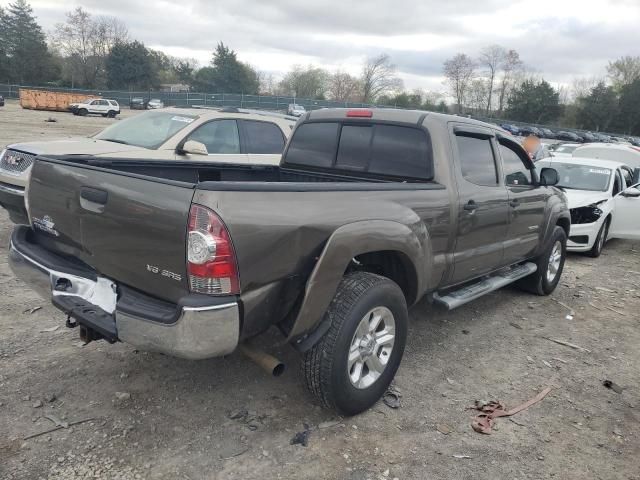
[[468, 293]]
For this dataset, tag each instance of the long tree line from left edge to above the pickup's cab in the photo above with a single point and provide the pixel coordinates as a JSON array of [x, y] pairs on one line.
[[97, 52]]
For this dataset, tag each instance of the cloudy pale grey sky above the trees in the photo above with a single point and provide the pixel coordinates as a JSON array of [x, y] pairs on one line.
[[557, 39]]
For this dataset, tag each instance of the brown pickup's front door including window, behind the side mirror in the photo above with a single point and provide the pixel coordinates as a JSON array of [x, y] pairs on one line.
[[526, 203]]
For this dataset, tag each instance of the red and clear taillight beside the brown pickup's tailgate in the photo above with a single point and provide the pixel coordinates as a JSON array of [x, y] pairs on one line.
[[211, 261]]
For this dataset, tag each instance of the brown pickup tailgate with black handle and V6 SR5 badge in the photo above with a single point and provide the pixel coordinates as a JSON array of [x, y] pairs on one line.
[[129, 228]]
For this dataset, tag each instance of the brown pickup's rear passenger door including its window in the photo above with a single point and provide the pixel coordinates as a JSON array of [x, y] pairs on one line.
[[482, 205]]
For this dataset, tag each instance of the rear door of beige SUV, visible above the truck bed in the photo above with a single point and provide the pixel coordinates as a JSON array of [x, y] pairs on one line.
[[263, 141]]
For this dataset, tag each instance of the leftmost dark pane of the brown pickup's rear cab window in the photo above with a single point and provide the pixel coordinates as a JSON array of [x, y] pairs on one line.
[[314, 145]]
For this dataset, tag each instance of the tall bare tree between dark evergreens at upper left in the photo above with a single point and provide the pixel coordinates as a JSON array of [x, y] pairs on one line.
[[86, 41]]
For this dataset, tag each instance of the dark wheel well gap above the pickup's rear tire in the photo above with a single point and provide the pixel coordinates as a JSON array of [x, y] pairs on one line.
[[392, 264]]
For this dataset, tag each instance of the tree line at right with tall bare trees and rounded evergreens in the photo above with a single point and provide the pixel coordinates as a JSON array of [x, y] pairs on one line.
[[497, 83]]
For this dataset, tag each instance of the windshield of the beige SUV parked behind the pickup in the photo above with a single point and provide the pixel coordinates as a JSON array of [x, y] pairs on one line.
[[148, 130]]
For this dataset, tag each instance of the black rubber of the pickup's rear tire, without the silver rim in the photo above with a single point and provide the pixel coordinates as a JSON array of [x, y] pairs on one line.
[[325, 365]]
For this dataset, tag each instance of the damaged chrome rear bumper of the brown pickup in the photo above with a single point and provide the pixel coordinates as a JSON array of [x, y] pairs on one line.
[[199, 332]]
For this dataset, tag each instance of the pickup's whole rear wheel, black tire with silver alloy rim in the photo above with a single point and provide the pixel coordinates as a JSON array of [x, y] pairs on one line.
[[350, 368]]
